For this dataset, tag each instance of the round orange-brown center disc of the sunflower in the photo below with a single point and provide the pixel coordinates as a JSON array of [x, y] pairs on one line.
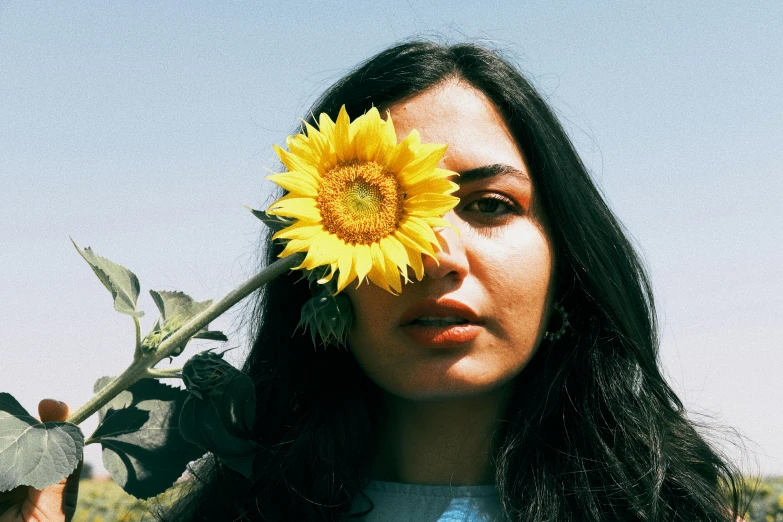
[[359, 202]]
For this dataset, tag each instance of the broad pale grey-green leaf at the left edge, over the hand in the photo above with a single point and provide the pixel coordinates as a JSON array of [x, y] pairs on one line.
[[34, 453]]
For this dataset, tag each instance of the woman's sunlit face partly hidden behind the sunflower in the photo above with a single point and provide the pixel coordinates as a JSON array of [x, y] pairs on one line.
[[494, 276]]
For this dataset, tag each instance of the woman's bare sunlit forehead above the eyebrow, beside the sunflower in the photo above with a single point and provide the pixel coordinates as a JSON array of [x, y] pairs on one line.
[[461, 116]]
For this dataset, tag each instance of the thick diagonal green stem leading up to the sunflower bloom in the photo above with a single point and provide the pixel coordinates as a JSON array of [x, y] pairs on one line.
[[141, 367]]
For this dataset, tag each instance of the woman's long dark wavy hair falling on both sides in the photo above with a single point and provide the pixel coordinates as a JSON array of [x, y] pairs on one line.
[[592, 433]]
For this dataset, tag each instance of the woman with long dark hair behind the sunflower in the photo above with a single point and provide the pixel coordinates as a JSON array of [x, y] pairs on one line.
[[548, 404]]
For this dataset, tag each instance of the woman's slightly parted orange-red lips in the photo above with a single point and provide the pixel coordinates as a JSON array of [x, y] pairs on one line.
[[440, 323]]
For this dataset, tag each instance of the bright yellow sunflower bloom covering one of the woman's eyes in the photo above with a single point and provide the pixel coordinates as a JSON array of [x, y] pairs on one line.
[[365, 205]]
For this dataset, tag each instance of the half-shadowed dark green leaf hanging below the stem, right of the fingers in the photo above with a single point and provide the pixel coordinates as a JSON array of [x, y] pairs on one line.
[[143, 449]]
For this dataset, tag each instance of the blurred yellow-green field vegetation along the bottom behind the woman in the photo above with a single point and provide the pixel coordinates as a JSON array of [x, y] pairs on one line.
[[105, 501]]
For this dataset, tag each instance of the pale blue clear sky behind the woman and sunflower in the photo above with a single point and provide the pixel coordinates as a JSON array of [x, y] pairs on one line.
[[140, 129]]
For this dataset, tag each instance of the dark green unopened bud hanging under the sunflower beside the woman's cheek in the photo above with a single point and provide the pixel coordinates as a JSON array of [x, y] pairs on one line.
[[328, 316]]
